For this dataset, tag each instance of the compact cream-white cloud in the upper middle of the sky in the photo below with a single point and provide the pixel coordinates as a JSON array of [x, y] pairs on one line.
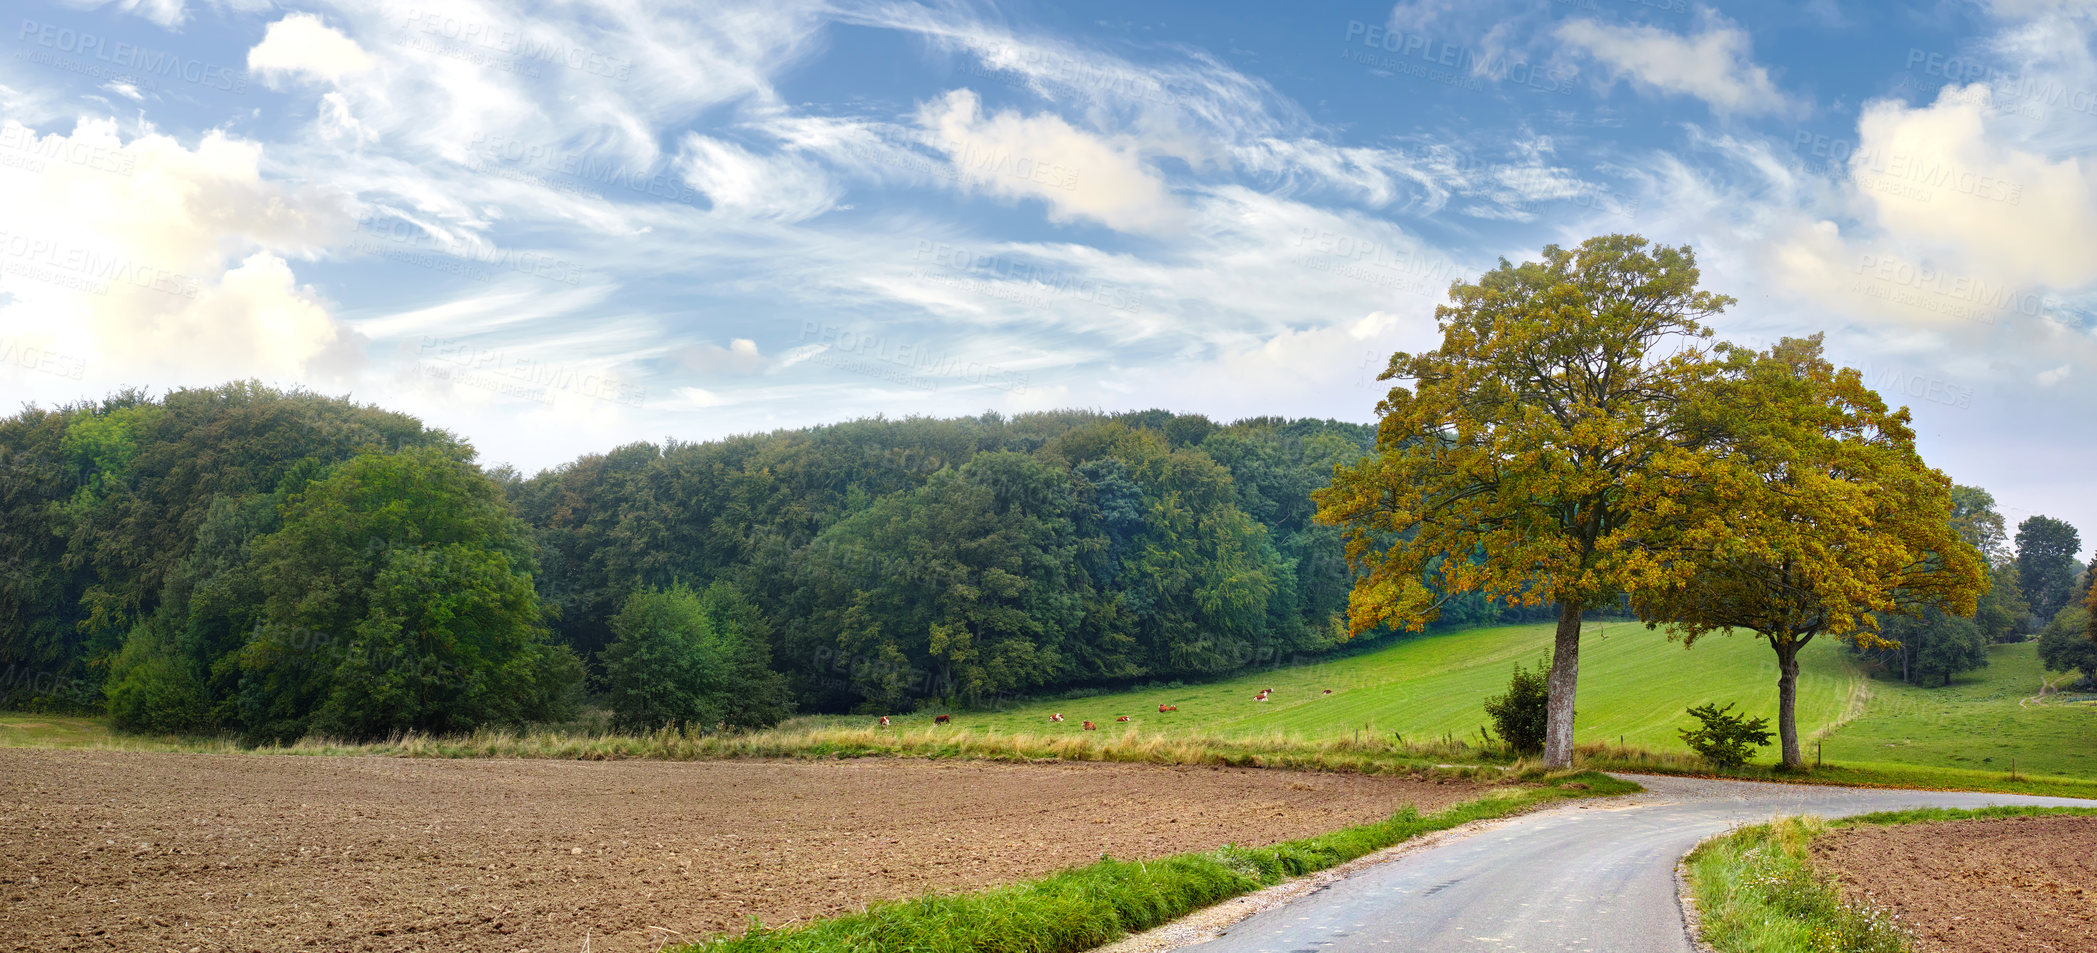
[[1077, 173]]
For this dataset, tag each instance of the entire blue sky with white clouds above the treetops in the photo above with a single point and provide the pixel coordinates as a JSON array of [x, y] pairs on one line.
[[561, 228]]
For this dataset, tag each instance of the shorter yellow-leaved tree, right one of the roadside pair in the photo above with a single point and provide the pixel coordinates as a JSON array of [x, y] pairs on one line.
[[1817, 515]]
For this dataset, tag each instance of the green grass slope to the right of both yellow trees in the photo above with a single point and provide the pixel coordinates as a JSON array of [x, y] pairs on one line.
[[1976, 723]]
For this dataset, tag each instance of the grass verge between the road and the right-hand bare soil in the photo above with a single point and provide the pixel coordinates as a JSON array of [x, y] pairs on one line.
[[1756, 891]]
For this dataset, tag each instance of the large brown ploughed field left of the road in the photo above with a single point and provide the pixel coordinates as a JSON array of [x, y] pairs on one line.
[[267, 853]]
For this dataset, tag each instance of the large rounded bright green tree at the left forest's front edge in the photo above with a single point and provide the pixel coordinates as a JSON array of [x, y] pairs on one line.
[[397, 597]]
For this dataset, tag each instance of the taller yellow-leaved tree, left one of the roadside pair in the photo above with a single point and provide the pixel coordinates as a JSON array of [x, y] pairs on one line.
[[1523, 452]]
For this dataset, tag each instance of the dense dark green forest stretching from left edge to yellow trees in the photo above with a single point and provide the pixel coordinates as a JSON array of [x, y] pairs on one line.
[[284, 564]]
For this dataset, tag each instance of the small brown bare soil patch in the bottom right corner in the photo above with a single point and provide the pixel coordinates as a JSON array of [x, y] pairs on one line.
[[2018, 885]]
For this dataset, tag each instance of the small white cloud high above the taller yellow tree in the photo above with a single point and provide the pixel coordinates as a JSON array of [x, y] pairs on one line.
[[1714, 66]]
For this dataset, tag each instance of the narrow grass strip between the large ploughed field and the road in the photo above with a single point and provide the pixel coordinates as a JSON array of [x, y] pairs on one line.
[[1100, 904]]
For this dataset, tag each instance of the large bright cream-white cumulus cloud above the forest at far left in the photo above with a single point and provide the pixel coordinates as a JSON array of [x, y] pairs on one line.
[[165, 261]]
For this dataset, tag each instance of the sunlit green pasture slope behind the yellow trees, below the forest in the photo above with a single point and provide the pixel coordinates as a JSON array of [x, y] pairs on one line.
[[1633, 685]]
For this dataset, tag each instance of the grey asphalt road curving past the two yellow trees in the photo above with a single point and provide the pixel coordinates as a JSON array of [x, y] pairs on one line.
[[1580, 878]]
